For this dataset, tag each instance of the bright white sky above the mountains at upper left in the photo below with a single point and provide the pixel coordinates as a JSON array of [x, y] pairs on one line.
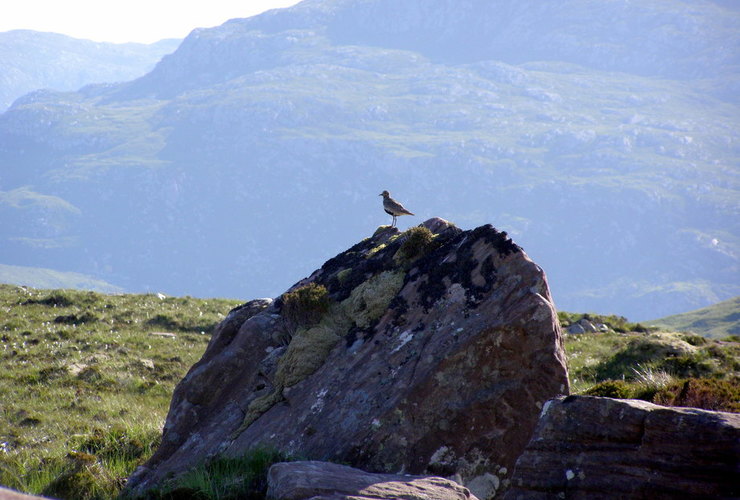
[[126, 20]]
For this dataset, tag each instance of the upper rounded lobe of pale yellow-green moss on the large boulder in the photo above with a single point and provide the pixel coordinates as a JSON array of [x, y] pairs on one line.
[[369, 300]]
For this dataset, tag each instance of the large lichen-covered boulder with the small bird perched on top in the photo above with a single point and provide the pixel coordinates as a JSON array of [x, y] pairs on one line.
[[434, 354]]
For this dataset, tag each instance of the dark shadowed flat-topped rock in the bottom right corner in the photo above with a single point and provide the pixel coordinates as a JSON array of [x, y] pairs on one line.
[[591, 447]]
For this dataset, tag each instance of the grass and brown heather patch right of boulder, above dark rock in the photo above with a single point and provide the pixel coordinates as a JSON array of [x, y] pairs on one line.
[[676, 369]]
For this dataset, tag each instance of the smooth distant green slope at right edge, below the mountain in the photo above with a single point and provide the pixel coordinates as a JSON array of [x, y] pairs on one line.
[[719, 320]]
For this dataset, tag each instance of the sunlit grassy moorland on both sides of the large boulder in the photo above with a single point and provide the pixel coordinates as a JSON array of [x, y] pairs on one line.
[[85, 388]]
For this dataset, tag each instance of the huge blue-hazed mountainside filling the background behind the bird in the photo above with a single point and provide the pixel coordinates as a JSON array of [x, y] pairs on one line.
[[603, 136]]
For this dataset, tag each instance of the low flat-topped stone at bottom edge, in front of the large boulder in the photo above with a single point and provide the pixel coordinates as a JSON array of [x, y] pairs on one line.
[[325, 481]]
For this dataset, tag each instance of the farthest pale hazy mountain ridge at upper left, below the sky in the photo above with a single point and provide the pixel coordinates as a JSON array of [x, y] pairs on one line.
[[32, 60]]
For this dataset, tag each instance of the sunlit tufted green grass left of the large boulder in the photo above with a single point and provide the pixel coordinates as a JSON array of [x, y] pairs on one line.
[[85, 387]]
